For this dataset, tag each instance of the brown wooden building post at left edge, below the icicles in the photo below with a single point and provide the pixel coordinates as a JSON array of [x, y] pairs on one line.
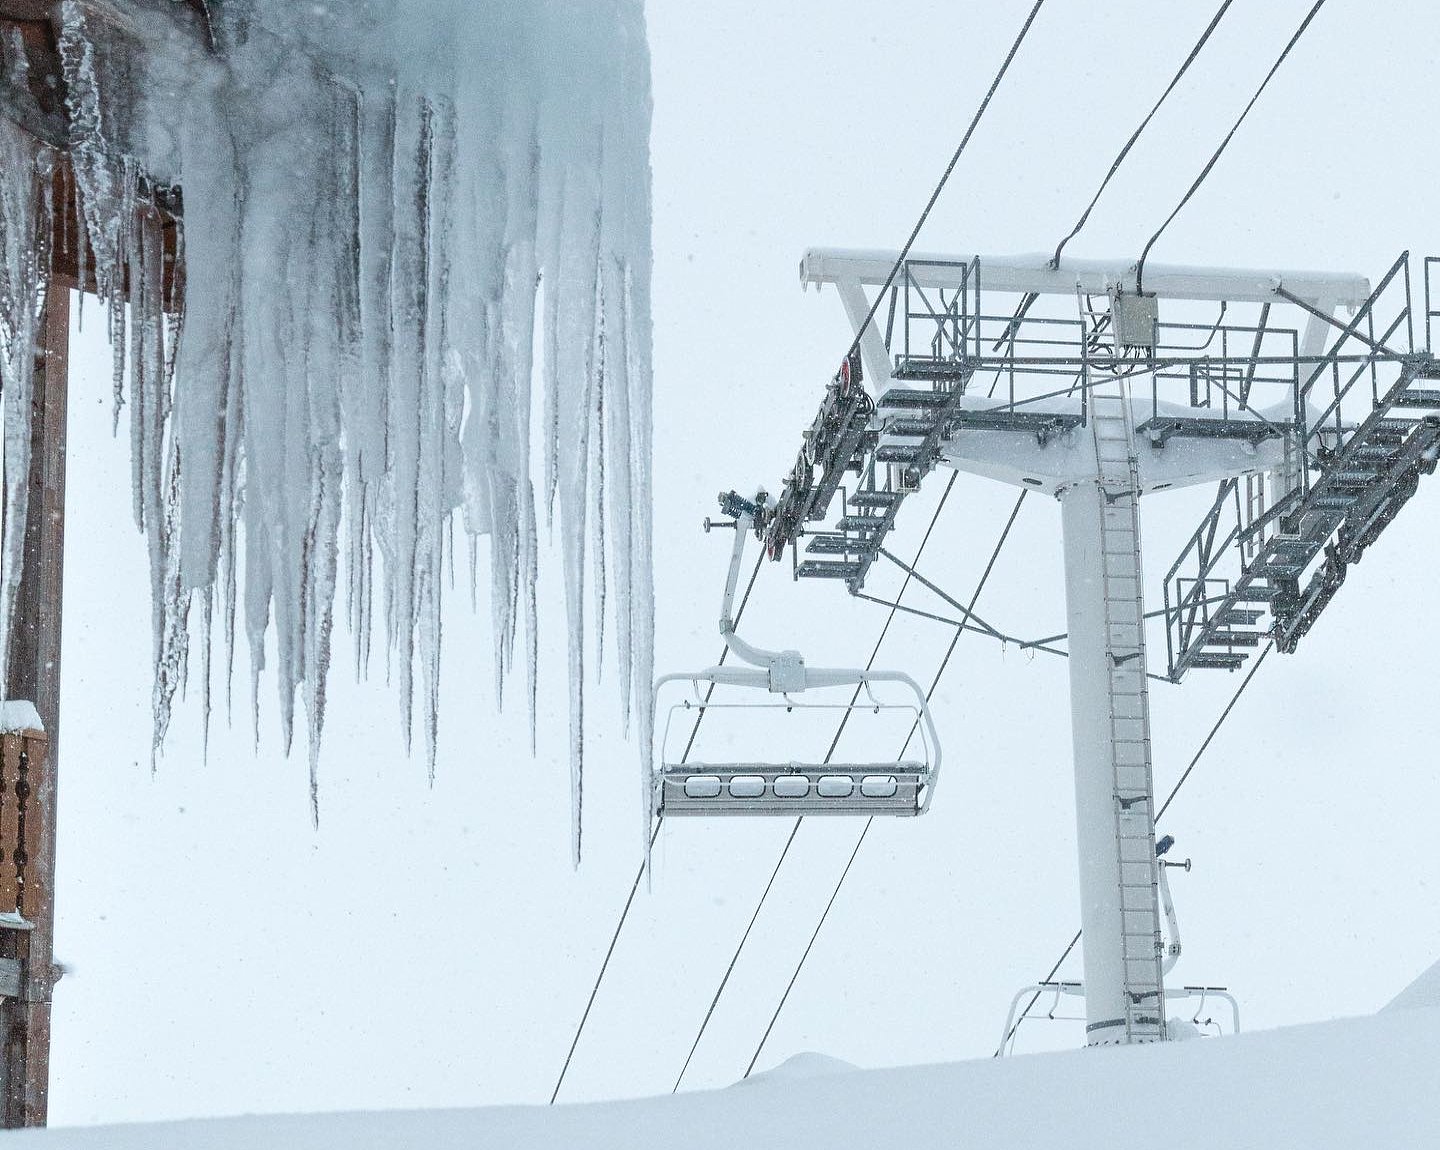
[[35, 674]]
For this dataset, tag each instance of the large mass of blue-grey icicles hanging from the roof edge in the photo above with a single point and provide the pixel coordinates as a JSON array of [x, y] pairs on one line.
[[369, 260]]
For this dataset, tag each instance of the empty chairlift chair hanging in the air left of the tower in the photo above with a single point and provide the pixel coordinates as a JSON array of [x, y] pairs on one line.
[[680, 787]]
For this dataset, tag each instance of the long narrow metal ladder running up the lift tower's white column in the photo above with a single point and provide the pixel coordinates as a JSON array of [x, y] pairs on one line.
[[1130, 713]]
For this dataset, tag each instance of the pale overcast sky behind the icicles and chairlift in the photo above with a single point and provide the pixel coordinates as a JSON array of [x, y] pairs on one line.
[[433, 948]]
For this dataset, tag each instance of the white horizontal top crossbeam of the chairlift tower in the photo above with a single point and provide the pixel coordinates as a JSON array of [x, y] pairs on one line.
[[1032, 274]]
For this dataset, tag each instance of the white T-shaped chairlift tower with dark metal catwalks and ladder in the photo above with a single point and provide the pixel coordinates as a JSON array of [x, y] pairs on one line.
[[1302, 397]]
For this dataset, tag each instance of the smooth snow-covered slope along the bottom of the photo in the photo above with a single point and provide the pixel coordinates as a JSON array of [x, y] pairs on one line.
[[1337, 1085]]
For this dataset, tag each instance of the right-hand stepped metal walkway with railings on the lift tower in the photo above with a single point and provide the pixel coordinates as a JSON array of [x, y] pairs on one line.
[[1344, 440]]
